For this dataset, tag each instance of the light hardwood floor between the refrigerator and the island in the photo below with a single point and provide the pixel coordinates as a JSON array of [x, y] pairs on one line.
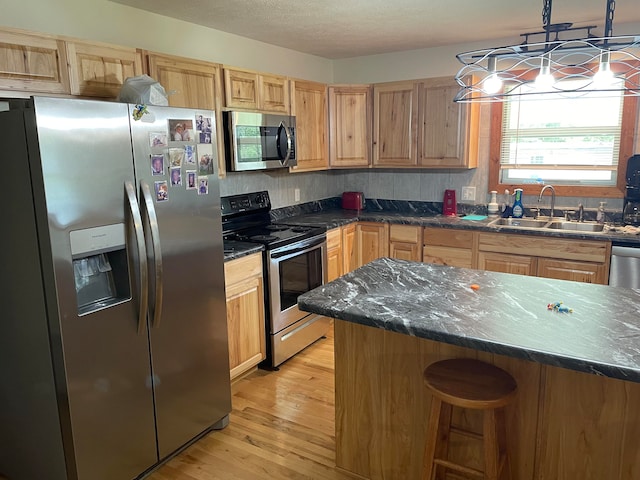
[[281, 427]]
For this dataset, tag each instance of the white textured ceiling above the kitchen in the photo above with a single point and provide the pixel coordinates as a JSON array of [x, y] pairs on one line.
[[349, 28]]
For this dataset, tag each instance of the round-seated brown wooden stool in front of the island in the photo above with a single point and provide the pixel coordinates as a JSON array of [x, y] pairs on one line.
[[467, 383]]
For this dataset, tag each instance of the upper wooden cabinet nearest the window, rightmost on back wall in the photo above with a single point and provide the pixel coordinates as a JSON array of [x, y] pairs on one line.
[[447, 131]]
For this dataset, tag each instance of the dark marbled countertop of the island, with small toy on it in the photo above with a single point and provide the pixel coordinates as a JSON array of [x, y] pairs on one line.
[[507, 315]]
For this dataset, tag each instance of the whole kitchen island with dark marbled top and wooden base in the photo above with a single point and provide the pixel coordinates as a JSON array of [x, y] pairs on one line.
[[576, 415]]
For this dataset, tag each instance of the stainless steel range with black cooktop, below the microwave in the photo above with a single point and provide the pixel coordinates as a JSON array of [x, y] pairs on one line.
[[294, 260]]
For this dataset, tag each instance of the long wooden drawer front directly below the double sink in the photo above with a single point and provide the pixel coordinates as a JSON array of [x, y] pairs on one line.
[[569, 249]]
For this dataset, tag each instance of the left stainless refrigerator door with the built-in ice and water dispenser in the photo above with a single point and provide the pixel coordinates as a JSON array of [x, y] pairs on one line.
[[81, 158]]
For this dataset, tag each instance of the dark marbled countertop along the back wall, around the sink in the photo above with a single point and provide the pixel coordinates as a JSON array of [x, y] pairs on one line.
[[338, 217]]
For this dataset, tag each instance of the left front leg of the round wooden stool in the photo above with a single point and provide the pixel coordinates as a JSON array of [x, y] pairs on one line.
[[437, 438]]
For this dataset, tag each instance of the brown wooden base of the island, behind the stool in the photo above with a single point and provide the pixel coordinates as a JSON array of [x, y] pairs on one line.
[[563, 424]]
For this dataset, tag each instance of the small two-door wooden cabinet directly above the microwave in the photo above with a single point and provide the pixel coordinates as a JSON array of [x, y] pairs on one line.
[[255, 91]]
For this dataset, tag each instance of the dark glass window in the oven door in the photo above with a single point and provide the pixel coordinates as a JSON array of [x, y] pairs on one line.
[[298, 275]]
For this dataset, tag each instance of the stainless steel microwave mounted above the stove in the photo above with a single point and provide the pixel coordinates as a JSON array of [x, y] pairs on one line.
[[258, 141]]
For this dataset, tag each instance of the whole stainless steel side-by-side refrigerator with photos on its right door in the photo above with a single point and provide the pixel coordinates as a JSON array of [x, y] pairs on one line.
[[113, 331]]
